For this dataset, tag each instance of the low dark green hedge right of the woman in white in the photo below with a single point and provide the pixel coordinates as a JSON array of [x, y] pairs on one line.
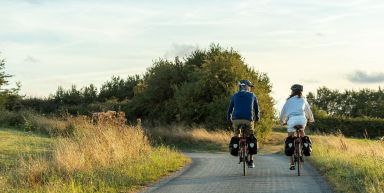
[[351, 127]]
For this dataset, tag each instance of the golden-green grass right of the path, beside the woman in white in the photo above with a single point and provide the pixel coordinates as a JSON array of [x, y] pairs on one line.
[[351, 165]]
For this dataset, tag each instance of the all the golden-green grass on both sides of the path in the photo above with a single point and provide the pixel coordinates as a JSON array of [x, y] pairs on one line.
[[108, 159]]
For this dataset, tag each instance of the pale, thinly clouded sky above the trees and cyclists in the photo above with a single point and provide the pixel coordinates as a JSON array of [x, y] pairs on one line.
[[334, 43]]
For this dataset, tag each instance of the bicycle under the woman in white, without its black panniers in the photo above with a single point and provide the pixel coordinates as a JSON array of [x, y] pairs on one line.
[[297, 155]]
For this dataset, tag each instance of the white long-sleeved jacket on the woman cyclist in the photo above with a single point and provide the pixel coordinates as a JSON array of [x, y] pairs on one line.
[[296, 106]]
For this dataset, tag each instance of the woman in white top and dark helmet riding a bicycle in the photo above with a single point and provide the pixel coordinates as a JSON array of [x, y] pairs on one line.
[[296, 111]]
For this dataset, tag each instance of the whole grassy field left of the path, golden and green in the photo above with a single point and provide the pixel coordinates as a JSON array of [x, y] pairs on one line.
[[94, 159]]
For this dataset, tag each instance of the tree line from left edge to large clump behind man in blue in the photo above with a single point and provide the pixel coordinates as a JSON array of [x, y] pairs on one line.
[[194, 90]]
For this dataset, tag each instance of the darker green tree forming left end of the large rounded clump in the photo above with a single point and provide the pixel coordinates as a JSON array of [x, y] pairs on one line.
[[155, 100]]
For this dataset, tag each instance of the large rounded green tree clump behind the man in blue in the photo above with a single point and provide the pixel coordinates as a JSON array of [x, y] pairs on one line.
[[196, 91]]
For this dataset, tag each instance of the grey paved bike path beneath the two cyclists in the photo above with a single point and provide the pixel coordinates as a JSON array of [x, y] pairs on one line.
[[219, 172]]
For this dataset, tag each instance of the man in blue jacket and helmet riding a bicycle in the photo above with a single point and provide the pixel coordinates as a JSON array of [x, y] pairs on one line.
[[244, 109]]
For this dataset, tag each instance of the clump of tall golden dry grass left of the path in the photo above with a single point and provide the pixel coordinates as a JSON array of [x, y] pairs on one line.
[[100, 146]]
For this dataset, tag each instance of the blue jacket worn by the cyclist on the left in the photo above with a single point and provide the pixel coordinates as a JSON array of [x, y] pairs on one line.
[[243, 105]]
